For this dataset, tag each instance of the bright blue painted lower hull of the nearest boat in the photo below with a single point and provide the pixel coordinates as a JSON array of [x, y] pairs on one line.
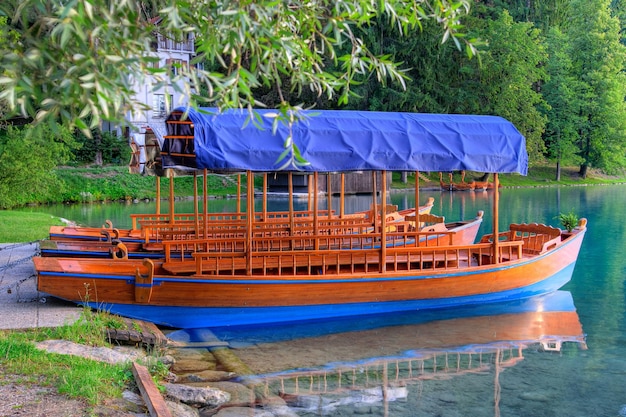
[[197, 317]]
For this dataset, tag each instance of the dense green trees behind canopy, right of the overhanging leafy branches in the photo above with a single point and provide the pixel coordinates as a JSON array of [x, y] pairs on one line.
[[554, 68]]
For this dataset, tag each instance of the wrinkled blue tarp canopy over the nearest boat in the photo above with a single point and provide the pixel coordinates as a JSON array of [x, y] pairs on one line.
[[342, 140]]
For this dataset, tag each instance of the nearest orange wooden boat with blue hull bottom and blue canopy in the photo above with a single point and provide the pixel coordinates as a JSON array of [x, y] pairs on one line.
[[325, 266]]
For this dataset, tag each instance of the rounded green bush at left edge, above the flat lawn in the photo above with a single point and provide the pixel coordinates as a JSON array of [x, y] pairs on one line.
[[27, 160]]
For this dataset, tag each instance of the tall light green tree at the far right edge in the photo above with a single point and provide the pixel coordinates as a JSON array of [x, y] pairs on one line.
[[598, 59]]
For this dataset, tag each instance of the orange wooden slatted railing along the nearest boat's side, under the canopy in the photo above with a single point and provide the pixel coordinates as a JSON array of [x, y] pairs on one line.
[[271, 257]]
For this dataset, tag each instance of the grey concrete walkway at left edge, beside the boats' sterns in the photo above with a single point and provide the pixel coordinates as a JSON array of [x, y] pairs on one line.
[[21, 305]]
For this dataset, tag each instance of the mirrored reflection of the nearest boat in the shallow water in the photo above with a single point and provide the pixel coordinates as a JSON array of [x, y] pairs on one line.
[[321, 367]]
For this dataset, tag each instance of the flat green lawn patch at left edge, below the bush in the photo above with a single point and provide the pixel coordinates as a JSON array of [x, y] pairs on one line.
[[16, 226]]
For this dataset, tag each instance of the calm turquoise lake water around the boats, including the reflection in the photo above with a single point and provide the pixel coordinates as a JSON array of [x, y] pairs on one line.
[[563, 355]]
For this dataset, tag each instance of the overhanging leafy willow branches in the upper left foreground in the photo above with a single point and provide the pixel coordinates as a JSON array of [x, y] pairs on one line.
[[76, 61]]
